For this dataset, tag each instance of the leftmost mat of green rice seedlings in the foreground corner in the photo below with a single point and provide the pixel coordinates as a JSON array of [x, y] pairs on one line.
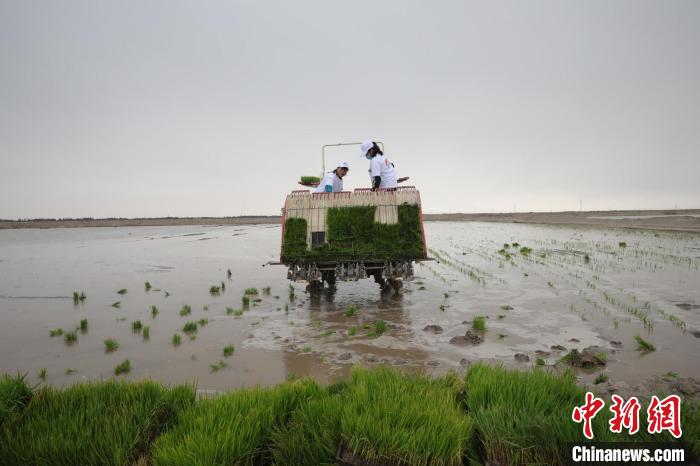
[[105, 423]]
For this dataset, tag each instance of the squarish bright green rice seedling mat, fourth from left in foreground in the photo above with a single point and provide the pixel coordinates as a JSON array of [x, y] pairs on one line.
[[391, 418]]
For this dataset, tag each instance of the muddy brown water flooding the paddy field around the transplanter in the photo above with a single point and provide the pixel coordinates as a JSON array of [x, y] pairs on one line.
[[553, 296]]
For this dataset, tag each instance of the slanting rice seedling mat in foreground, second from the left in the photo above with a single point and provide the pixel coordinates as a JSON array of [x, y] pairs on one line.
[[235, 428]]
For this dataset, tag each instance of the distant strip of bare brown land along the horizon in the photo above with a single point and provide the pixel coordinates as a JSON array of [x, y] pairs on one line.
[[672, 220]]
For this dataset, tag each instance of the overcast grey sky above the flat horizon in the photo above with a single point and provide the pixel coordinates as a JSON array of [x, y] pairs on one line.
[[191, 108]]
